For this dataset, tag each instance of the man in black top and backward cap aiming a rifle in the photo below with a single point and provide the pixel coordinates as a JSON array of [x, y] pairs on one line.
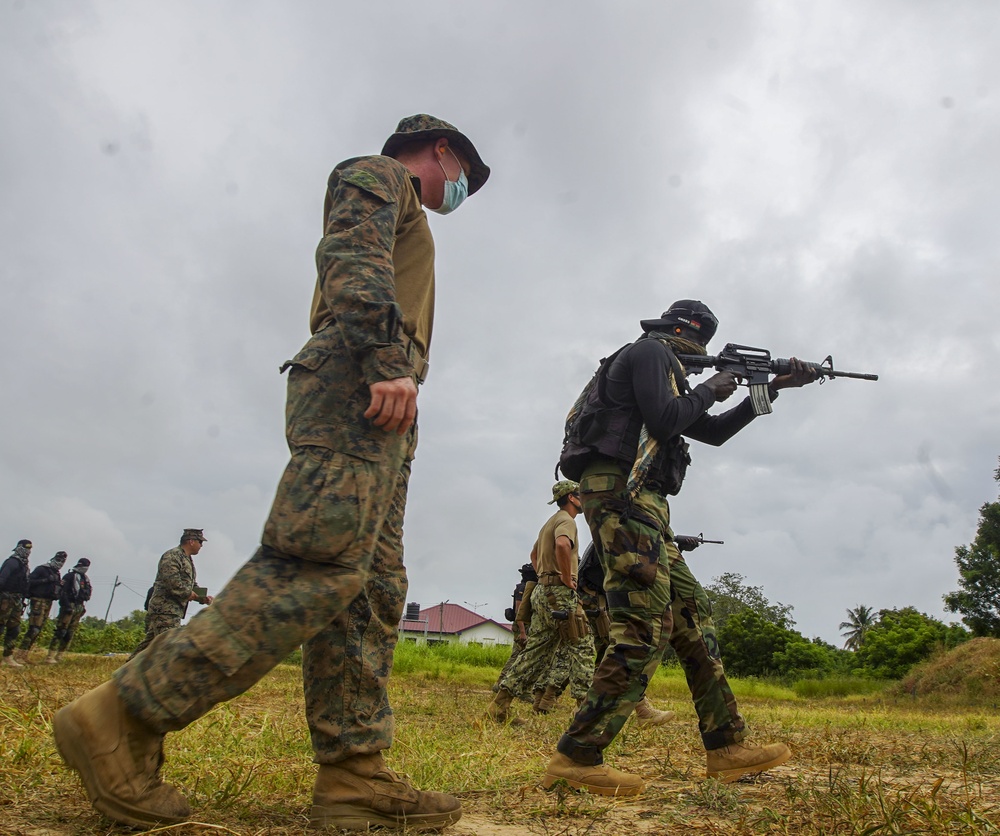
[[640, 401]]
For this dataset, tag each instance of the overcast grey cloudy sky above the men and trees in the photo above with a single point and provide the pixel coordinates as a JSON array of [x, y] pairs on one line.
[[824, 175]]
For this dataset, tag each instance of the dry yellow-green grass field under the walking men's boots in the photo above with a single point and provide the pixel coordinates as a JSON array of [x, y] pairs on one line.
[[861, 766]]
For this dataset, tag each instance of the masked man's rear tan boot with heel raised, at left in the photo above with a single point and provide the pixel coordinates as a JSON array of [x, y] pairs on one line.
[[118, 759]]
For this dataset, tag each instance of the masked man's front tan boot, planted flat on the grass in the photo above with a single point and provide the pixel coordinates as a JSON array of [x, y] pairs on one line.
[[362, 792]]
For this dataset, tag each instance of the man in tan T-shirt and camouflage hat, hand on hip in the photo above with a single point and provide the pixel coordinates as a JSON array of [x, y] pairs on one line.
[[560, 647]]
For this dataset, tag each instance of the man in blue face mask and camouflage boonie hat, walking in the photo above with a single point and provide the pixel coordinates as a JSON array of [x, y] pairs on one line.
[[329, 574]]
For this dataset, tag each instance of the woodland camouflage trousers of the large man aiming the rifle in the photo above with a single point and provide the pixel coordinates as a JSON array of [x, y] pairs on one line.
[[653, 600]]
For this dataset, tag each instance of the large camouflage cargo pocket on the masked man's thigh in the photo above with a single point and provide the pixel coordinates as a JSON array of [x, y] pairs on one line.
[[322, 505]]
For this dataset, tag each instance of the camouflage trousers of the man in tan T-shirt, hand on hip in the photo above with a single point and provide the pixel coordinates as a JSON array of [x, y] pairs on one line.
[[548, 658]]
